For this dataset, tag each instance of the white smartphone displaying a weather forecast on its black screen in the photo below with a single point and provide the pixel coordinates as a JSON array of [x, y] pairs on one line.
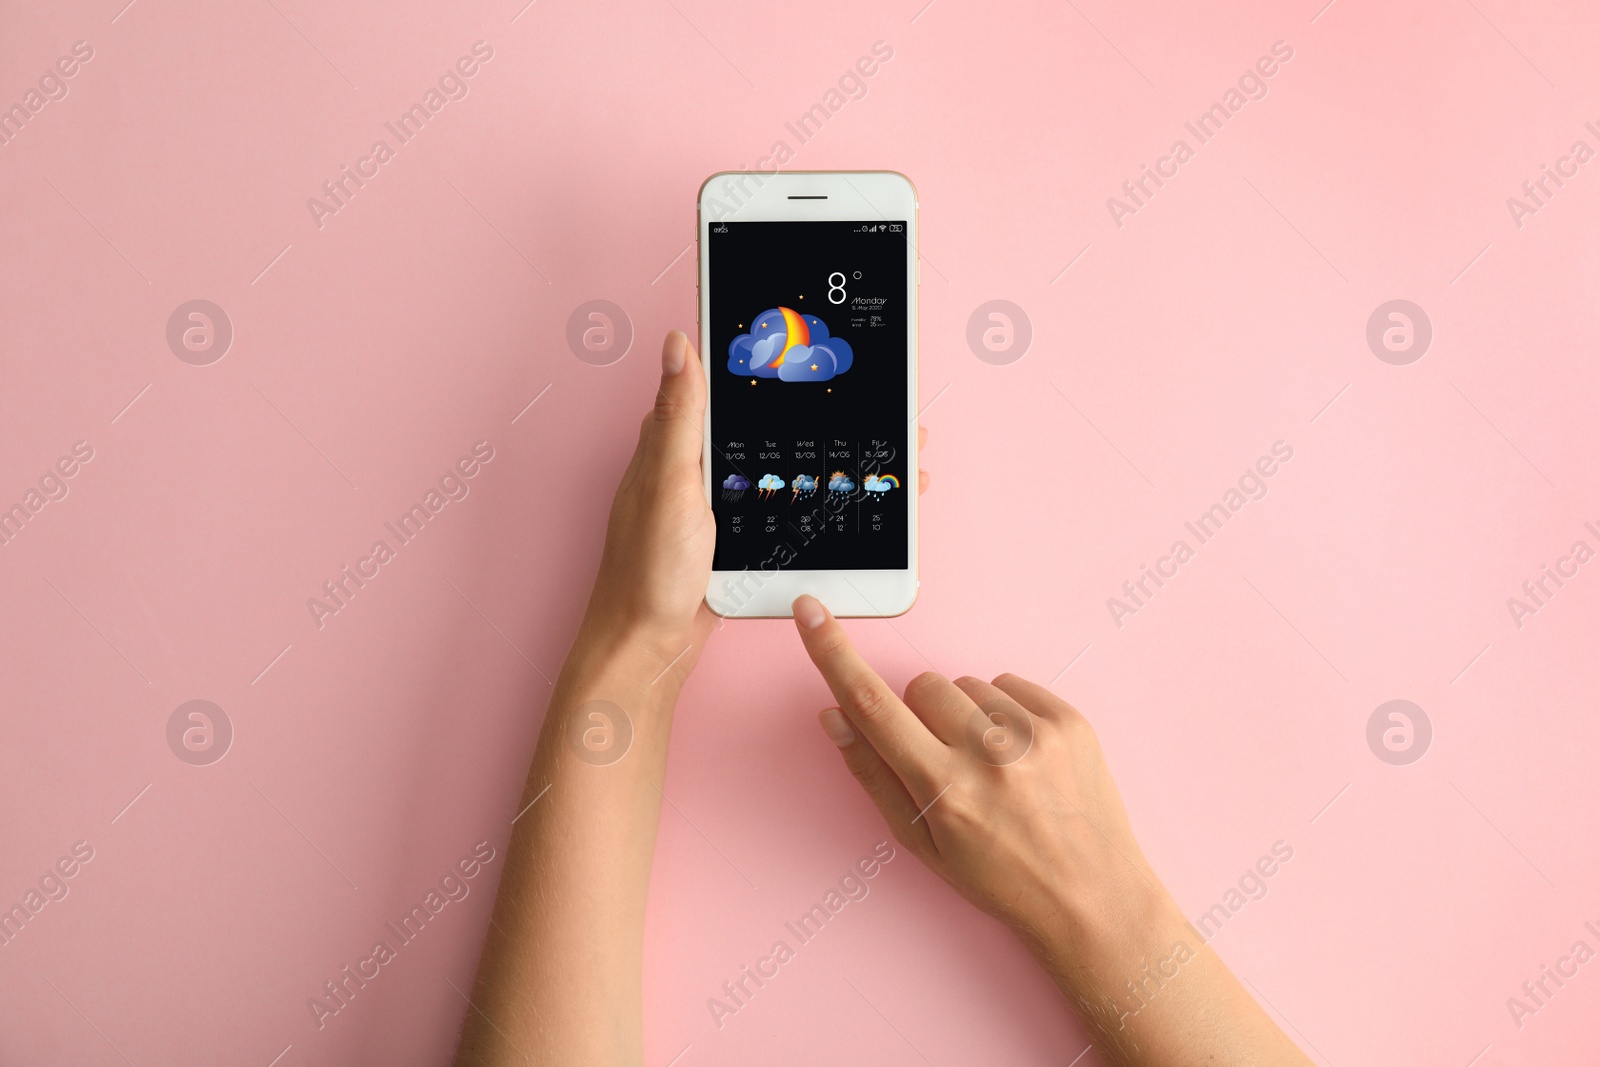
[[809, 334]]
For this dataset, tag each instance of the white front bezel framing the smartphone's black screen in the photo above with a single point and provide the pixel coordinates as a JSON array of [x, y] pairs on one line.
[[847, 196]]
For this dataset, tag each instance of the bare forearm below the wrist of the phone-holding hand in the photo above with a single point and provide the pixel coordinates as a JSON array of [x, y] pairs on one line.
[[561, 973]]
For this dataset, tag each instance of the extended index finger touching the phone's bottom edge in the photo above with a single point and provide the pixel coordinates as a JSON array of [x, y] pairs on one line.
[[905, 743]]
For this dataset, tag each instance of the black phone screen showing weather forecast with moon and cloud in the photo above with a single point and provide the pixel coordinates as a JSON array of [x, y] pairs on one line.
[[809, 332]]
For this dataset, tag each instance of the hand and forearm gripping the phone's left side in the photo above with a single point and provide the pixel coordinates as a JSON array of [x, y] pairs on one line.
[[559, 981]]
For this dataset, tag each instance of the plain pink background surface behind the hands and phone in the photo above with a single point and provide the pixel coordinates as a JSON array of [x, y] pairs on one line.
[[1228, 314]]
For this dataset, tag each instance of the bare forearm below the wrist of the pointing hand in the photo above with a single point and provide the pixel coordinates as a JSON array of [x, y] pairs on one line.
[[1151, 993]]
